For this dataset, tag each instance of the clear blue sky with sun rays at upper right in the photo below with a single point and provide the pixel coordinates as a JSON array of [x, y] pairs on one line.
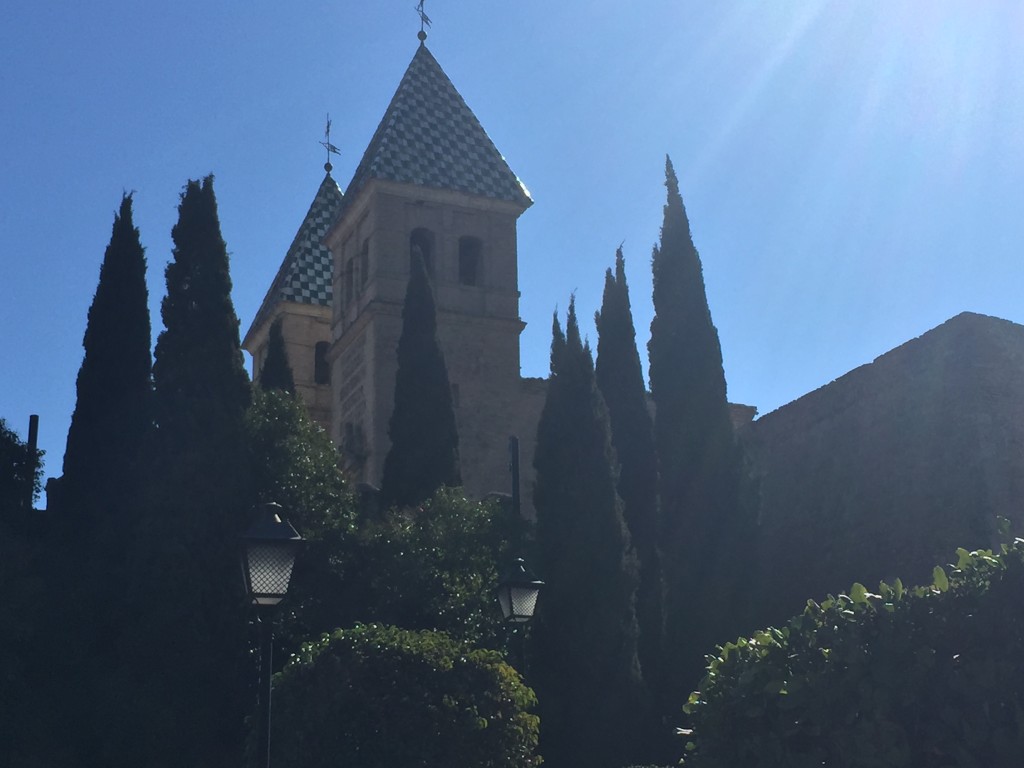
[[852, 170]]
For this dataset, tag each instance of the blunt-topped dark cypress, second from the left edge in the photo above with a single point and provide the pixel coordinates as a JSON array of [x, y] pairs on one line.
[[191, 661]]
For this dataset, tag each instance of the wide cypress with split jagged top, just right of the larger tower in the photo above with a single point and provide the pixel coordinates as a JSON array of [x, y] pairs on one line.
[[585, 633]]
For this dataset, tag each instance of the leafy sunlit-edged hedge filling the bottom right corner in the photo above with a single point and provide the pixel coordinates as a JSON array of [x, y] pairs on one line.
[[922, 677]]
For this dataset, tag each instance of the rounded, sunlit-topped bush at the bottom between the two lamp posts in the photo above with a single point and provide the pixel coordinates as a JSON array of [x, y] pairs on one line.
[[381, 697]]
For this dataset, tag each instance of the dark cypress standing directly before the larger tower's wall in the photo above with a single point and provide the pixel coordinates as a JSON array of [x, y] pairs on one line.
[[424, 453]]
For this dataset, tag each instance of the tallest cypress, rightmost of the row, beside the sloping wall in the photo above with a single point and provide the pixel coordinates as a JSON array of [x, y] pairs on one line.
[[699, 456]]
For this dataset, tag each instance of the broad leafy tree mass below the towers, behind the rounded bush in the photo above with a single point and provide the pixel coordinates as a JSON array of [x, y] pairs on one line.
[[435, 569]]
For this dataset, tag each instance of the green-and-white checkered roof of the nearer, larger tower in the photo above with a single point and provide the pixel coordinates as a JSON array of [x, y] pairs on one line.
[[431, 138]]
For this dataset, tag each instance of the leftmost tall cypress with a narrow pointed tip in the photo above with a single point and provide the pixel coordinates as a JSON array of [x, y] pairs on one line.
[[103, 479]]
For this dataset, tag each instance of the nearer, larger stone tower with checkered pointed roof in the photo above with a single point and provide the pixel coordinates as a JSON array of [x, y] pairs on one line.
[[432, 182]]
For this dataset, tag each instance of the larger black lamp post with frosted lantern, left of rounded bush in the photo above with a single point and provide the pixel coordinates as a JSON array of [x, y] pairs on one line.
[[271, 546]]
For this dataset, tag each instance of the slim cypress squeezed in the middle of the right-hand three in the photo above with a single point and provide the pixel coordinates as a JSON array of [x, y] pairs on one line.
[[621, 380]]
